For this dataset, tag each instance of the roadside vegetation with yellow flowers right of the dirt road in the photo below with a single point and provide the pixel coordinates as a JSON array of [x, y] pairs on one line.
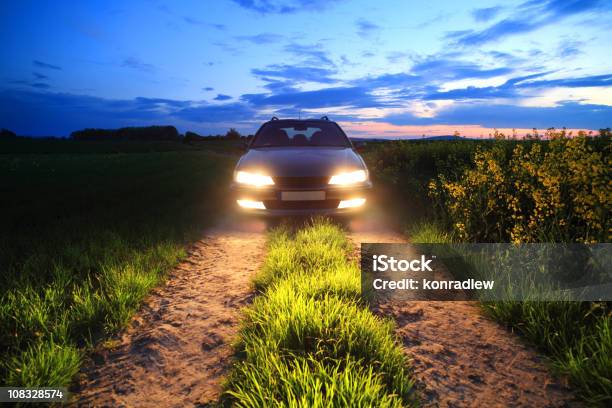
[[553, 187]]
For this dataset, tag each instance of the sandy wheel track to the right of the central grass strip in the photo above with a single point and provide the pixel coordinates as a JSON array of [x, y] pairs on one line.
[[460, 357]]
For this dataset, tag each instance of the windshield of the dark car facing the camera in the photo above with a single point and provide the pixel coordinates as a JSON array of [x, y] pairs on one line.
[[302, 134]]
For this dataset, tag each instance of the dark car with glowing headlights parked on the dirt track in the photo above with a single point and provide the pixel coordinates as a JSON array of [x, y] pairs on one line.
[[301, 167]]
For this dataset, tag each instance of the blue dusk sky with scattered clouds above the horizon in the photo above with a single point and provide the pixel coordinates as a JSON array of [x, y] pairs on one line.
[[379, 68]]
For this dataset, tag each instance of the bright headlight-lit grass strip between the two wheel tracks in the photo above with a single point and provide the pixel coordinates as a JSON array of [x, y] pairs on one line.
[[308, 339]]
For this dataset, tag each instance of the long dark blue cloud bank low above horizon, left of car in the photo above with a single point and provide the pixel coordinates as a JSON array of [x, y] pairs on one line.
[[61, 113]]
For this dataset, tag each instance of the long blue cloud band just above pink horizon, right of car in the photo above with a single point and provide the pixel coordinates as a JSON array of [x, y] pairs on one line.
[[568, 114]]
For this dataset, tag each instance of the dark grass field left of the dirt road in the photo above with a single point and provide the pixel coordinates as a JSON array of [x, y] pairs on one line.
[[85, 236]]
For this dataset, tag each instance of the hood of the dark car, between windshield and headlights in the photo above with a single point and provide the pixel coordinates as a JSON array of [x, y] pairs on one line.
[[300, 161]]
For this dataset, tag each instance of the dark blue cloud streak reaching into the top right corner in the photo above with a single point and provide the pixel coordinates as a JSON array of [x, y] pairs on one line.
[[530, 16]]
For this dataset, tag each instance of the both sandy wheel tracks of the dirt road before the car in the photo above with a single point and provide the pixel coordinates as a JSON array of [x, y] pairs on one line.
[[178, 347]]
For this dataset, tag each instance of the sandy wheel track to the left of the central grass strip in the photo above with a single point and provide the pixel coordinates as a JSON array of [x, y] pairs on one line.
[[178, 347]]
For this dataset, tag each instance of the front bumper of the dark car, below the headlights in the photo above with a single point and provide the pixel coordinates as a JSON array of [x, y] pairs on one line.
[[271, 202]]
